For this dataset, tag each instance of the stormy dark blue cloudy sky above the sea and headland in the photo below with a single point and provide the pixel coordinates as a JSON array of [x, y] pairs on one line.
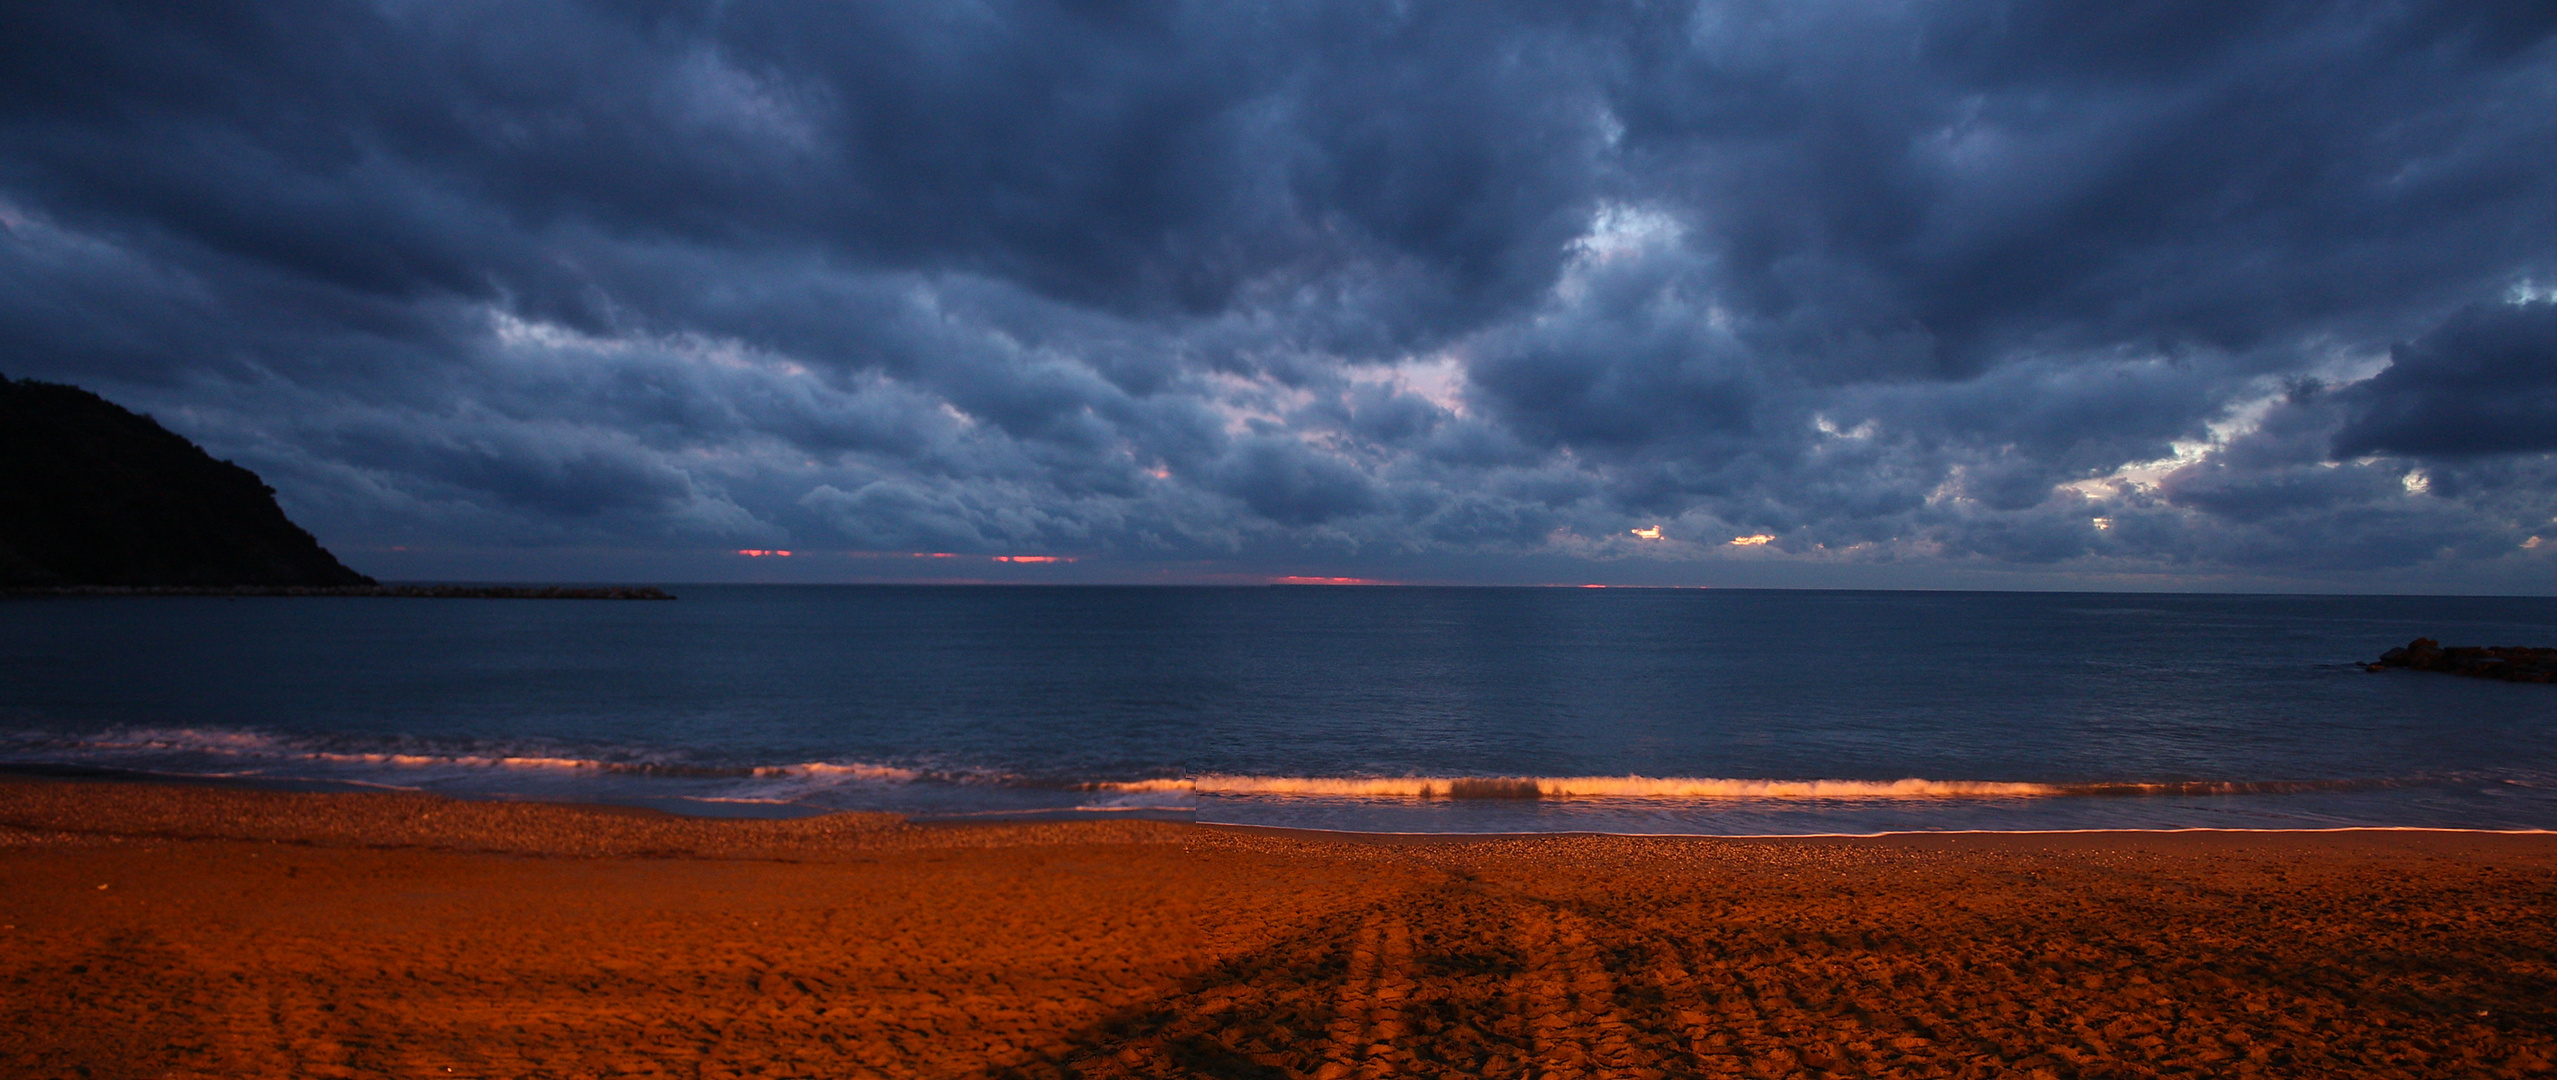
[[1799, 293]]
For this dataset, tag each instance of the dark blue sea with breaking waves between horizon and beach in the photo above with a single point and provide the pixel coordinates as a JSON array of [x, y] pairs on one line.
[[1408, 710]]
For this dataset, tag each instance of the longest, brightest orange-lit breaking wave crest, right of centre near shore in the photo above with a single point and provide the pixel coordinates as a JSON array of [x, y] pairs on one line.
[[1674, 787]]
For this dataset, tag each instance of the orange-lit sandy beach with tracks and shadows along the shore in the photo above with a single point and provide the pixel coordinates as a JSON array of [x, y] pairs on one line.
[[196, 933]]
